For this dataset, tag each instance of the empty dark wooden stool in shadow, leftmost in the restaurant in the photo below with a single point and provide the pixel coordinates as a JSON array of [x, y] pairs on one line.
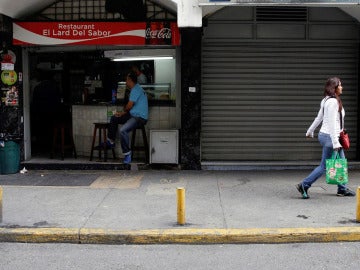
[[61, 128]]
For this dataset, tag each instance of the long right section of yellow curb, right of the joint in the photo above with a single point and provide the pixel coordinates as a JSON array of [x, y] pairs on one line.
[[220, 236]]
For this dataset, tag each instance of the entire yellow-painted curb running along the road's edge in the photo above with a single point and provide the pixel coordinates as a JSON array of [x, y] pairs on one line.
[[180, 236]]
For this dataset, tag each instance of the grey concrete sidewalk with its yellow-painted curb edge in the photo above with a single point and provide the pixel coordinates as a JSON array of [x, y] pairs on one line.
[[125, 207]]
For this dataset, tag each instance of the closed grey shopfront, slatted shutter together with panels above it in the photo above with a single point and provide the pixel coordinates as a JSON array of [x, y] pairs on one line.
[[262, 83]]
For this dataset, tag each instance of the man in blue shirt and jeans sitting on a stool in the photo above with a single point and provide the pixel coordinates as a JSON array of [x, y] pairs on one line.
[[134, 115]]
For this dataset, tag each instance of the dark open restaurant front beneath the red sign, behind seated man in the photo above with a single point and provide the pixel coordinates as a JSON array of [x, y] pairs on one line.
[[81, 88]]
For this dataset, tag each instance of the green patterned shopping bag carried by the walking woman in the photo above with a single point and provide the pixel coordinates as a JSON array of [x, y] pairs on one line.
[[336, 170]]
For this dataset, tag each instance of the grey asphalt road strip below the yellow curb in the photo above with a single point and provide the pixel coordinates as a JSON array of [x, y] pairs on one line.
[[327, 256]]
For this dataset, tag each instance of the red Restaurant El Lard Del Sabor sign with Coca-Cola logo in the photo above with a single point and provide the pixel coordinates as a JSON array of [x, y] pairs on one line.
[[96, 33]]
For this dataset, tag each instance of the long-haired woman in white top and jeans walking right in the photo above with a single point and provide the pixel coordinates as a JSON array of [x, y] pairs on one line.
[[330, 114]]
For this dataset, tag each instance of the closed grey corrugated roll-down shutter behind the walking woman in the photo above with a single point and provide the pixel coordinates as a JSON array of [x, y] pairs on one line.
[[258, 99]]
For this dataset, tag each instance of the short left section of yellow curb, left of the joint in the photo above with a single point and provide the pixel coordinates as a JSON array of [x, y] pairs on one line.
[[39, 235]]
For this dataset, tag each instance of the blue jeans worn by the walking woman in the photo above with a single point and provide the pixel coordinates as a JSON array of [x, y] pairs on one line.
[[320, 170]]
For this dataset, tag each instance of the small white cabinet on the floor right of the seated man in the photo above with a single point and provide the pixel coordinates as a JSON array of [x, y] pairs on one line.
[[164, 146]]
